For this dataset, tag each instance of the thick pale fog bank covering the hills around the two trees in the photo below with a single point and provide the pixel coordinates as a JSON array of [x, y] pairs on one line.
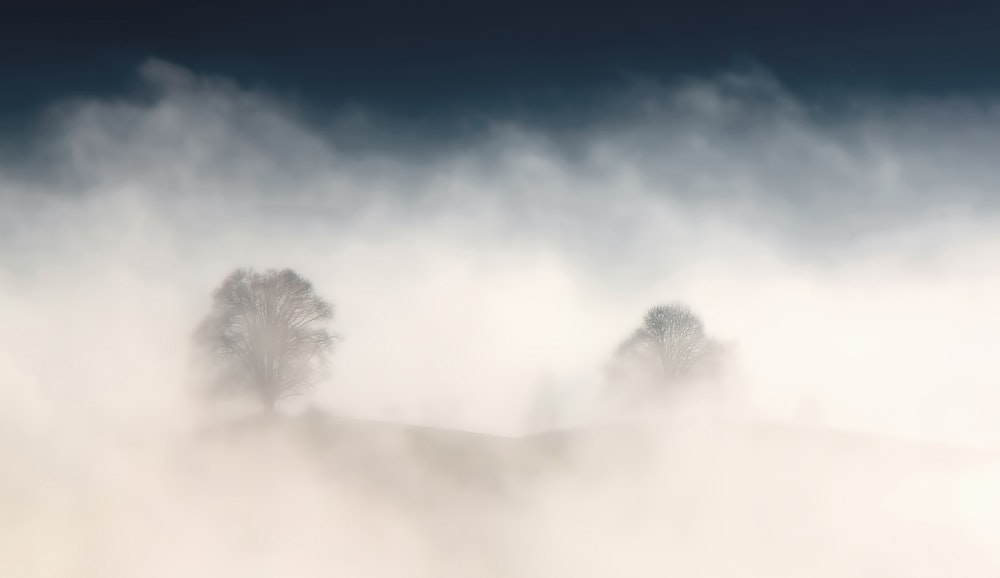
[[842, 249]]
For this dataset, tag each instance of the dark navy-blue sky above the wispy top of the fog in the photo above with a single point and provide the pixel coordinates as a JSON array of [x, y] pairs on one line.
[[424, 56]]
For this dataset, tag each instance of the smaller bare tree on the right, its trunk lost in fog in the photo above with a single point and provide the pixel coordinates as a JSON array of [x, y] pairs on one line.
[[669, 346]]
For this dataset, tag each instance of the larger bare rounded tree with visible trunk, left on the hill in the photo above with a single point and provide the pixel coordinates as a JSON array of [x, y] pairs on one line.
[[267, 333]]
